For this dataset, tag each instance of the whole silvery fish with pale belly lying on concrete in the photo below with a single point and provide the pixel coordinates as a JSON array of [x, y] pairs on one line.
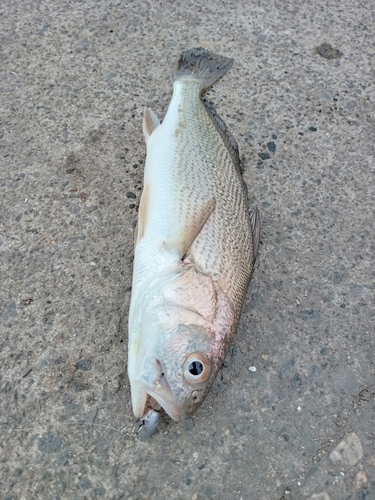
[[195, 246]]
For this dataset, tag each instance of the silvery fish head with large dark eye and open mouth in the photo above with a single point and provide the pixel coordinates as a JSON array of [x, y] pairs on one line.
[[177, 366]]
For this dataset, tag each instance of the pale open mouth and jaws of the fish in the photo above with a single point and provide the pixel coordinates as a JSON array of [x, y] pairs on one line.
[[154, 383]]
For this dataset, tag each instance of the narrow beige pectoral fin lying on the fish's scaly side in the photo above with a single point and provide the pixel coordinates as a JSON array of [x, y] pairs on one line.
[[192, 227]]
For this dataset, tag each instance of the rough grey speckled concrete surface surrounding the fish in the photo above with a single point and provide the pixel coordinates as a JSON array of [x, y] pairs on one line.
[[75, 77]]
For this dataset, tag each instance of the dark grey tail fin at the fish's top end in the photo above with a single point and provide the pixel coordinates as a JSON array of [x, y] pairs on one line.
[[200, 64]]
